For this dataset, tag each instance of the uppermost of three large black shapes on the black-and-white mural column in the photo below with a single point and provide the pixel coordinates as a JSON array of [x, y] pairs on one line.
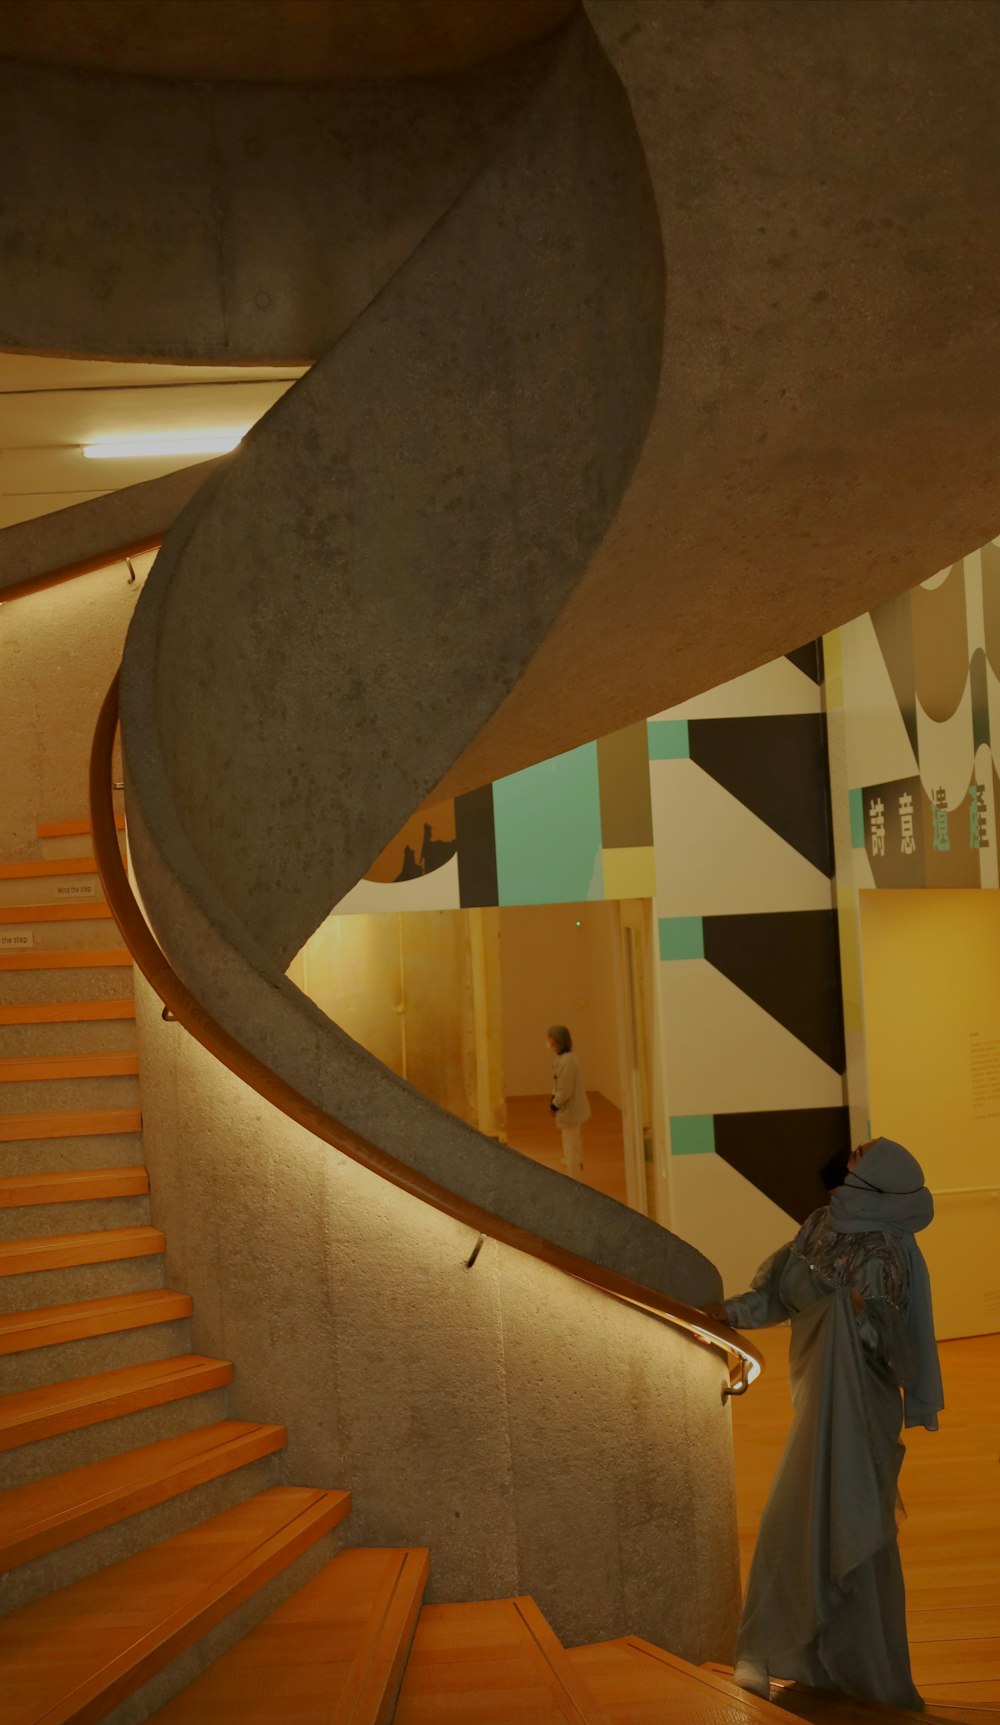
[[777, 767]]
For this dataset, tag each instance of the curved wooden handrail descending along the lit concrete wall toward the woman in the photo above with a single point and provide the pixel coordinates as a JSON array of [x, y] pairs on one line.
[[146, 951]]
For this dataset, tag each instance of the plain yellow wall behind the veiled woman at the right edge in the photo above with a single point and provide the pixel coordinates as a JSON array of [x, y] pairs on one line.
[[932, 1000]]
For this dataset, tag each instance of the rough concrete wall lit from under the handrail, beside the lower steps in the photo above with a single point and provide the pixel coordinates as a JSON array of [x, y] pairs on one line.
[[537, 1436]]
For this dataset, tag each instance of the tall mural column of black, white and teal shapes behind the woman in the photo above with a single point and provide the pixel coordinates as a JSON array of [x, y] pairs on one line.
[[753, 1017]]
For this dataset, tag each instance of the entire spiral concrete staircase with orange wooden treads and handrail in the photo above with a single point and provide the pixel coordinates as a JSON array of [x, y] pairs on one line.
[[644, 342]]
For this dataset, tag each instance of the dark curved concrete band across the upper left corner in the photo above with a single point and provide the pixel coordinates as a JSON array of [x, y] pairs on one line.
[[244, 222]]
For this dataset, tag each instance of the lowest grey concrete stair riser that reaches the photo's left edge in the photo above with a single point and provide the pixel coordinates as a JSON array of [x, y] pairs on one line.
[[135, 1533]]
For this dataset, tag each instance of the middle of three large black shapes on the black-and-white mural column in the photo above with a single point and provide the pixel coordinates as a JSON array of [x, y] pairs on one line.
[[789, 963]]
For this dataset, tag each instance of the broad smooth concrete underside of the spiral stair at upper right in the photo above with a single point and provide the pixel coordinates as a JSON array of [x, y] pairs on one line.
[[830, 380]]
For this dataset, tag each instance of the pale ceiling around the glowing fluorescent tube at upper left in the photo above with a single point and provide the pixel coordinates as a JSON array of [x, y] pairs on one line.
[[49, 408]]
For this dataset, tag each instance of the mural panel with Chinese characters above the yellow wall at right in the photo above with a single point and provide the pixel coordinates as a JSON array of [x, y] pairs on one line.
[[922, 693]]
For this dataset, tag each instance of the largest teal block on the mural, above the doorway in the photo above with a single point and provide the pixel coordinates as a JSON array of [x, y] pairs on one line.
[[549, 832]]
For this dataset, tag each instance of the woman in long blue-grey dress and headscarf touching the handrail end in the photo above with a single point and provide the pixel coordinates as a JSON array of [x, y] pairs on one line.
[[825, 1598]]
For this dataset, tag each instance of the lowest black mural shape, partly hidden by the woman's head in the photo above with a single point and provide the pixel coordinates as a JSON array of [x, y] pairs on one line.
[[782, 1151]]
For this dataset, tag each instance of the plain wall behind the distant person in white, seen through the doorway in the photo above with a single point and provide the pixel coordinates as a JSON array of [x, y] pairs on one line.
[[558, 969]]
